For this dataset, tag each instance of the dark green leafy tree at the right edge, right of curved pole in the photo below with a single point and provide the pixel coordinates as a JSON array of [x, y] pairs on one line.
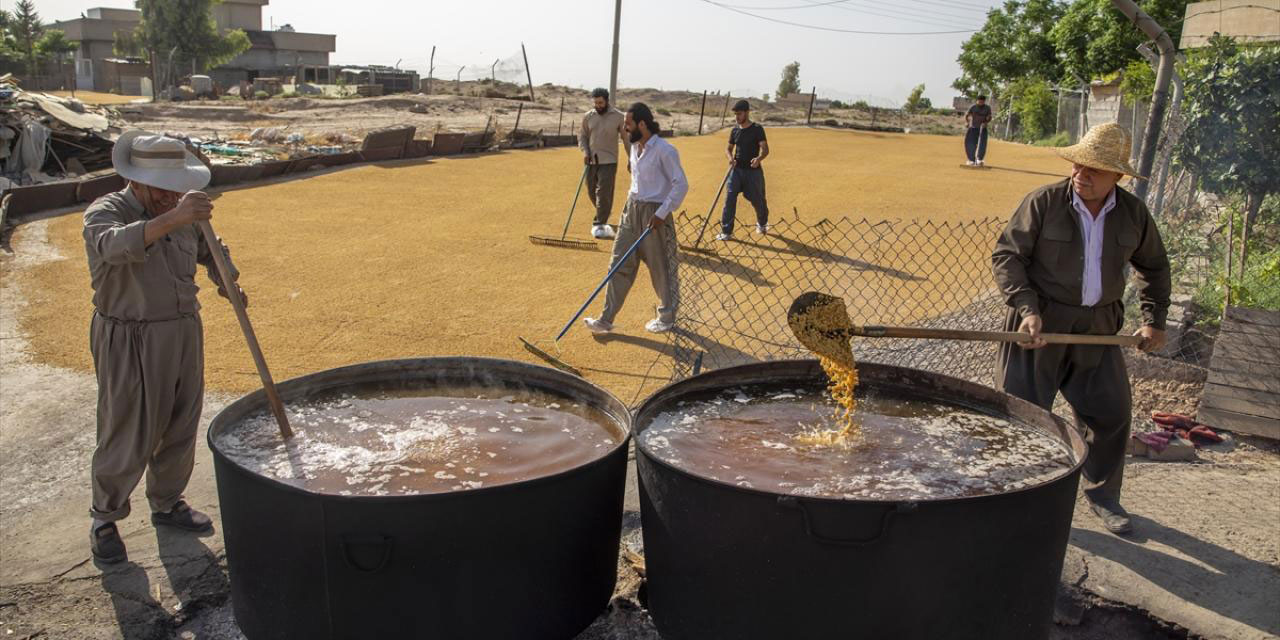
[[1232, 104]]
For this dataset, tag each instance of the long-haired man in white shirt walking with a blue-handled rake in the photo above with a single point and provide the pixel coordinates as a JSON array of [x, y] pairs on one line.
[[659, 186]]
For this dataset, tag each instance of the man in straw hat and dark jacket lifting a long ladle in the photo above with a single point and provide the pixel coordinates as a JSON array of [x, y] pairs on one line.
[[1062, 264]]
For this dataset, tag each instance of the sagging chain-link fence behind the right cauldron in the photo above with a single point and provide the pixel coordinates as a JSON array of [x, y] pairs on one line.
[[735, 295]]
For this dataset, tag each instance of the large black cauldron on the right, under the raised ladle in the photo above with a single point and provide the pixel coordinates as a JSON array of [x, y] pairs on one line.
[[733, 564]]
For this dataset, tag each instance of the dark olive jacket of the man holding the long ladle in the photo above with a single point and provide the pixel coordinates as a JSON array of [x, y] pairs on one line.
[[1041, 254]]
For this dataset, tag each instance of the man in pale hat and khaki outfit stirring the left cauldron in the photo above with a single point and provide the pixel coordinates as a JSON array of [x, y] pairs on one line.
[[147, 337]]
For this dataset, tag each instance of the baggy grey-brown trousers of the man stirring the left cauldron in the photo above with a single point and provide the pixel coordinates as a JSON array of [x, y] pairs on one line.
[[150, 392]]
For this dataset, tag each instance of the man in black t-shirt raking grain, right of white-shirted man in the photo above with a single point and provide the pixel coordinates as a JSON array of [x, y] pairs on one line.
[[747, 150]]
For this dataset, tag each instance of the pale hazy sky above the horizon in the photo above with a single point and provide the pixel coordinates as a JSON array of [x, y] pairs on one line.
[[666, 44]]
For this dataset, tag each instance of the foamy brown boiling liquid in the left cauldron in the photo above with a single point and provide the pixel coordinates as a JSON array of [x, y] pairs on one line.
[[404, 444]]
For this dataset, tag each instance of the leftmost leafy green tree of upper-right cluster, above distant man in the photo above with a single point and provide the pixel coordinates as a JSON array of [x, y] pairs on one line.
[[1013, 44]]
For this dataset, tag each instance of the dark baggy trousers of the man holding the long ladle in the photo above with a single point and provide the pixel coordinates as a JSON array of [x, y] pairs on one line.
[[1092, 378]]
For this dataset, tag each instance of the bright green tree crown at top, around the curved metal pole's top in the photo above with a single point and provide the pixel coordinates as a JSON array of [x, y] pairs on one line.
[[1095, 39]]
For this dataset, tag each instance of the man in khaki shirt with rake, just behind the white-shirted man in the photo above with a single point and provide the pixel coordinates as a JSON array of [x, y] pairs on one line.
[[598, 139]]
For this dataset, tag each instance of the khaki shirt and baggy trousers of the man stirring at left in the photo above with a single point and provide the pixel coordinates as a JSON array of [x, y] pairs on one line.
[[148, 346]]
